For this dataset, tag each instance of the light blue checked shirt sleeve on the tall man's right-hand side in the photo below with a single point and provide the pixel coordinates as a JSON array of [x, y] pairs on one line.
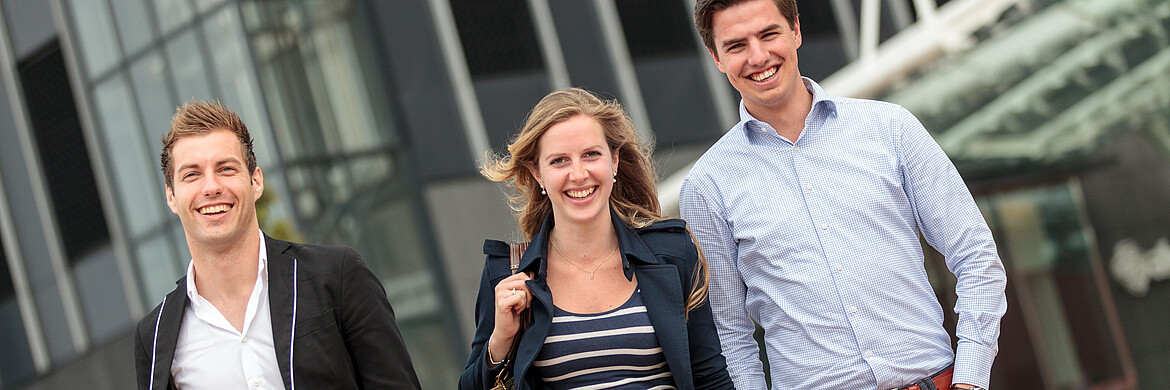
[[952, 223]]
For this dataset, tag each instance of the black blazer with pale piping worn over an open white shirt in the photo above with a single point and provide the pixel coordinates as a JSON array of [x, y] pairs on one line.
[[346, 332]]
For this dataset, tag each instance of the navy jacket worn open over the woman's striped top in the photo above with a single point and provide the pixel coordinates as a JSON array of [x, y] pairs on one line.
[[664, 258]]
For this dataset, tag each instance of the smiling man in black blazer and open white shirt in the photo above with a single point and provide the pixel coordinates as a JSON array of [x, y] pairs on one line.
[[254, 312]]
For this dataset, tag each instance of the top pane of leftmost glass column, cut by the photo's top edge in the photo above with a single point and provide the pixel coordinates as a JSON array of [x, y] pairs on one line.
[[97, 36]]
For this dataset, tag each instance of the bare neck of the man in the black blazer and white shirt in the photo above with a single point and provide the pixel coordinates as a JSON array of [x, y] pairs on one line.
[[228, 271]]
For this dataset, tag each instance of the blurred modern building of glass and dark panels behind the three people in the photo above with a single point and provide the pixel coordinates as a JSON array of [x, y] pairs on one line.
[[370, 118]]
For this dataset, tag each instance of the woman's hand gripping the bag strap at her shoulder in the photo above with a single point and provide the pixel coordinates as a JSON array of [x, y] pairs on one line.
[[513, 297]]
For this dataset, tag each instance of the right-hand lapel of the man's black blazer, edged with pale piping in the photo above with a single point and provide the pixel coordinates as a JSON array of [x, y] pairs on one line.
[[280, 304]]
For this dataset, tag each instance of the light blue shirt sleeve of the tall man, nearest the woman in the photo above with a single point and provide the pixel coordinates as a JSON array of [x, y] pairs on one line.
[[727, 291]]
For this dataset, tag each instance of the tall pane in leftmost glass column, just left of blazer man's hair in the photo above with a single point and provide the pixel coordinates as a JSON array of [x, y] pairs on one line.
[[133, 172]]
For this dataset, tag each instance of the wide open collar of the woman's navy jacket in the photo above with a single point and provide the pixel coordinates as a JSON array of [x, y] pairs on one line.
[[635, 251]]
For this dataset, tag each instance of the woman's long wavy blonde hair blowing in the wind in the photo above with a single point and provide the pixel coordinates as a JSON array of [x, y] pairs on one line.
[[635, 196]]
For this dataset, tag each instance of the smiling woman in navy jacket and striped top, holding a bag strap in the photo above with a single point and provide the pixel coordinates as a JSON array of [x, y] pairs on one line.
[[586, 188]]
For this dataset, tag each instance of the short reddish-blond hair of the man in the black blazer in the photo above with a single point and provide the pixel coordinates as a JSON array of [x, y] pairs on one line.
[[198, 119]]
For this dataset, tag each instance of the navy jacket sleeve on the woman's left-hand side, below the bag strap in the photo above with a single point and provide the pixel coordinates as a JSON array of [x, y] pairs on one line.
[[477, 374]]
